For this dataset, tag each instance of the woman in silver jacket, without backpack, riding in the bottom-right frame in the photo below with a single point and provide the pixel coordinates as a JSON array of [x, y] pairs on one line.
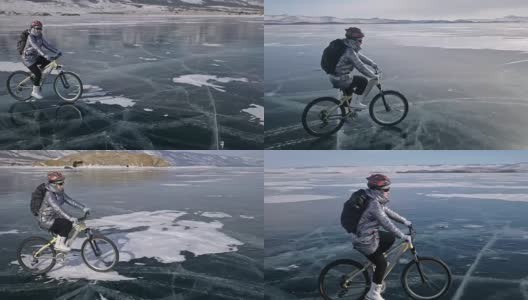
[[369, 240]]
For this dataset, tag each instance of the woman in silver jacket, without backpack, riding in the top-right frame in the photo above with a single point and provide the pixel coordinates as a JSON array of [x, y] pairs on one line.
[[351, 59]]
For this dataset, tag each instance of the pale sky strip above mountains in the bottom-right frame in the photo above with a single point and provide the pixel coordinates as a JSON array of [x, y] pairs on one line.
[[282, 159]]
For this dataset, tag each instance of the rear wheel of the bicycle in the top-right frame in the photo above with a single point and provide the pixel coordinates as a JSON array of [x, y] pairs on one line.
[[323, 117]]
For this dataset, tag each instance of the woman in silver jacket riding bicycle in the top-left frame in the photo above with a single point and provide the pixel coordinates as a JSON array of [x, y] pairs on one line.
[[34, 57]]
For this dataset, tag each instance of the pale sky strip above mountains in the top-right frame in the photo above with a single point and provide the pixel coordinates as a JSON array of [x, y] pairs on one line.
[[399, 9]]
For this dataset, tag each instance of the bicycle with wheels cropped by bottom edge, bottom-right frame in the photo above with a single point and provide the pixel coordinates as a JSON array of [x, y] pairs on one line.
[[423, 278]]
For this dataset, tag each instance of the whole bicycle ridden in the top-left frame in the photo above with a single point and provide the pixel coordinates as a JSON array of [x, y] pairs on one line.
[[67, 85]]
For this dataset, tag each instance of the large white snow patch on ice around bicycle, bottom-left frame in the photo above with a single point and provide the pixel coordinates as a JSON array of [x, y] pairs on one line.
[[161, 235]]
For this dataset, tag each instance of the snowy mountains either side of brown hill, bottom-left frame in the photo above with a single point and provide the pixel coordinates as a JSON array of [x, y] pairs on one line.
[[174, 158]]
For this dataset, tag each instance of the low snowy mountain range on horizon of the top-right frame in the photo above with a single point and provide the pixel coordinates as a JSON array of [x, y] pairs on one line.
[[300, 20]]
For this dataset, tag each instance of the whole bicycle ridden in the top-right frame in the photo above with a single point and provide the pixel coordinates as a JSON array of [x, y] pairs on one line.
[[387, 108]]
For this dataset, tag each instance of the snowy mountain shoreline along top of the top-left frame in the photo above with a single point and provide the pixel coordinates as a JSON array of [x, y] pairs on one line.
[[69, 7]]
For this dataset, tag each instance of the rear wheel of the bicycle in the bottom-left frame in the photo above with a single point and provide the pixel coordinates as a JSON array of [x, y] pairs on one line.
[[33, 257]]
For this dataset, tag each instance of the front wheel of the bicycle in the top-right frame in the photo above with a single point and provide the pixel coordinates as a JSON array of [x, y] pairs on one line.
[[388, 108]]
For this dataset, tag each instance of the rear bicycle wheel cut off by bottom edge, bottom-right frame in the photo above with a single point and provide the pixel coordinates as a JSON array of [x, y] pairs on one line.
[[344, 279]]
